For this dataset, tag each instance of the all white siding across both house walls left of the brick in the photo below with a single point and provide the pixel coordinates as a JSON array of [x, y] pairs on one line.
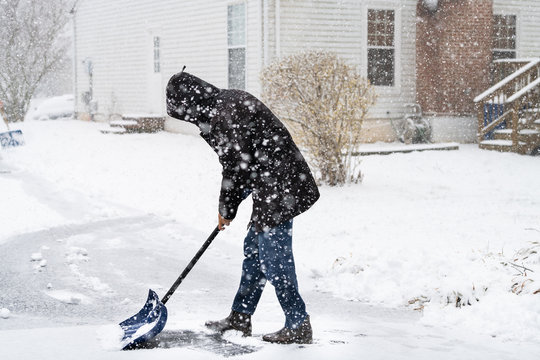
[[117, 36]]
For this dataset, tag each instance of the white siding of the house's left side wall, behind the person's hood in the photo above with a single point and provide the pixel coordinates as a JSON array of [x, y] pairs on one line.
[[117, 36]]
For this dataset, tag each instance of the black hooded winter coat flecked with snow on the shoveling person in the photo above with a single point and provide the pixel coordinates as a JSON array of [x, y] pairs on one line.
[[255, 149]]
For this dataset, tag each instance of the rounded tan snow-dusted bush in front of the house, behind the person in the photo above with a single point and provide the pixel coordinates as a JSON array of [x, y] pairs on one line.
[[324, 102]]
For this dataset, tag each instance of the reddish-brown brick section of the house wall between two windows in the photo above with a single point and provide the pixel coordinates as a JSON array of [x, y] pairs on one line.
[[453, 55]]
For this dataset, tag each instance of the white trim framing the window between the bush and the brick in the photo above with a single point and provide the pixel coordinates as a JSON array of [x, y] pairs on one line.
[[396, 88]]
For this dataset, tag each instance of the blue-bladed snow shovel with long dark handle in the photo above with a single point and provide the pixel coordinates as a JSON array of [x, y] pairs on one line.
[[151, 319]]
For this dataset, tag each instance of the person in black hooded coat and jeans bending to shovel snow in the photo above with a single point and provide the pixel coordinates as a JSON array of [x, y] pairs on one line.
[[258, 157]]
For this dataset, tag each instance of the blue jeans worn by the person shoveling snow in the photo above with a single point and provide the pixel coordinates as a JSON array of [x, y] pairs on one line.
[[268, 256]]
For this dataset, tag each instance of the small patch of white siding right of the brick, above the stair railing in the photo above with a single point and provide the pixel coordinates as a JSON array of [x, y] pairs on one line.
[[528, 24]]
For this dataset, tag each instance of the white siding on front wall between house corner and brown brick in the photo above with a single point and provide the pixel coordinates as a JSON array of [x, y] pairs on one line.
[[341, 26]]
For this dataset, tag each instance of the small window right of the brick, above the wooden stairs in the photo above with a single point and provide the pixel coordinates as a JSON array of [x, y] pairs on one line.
[[504, 37]]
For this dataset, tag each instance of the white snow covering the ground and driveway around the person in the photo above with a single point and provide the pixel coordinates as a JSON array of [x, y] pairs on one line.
[[91, 221]]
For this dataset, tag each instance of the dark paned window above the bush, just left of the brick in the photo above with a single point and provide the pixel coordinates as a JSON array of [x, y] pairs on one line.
[[381, 47]]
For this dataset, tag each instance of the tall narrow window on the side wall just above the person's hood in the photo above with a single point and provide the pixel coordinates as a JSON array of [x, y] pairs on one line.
[[236, 37]]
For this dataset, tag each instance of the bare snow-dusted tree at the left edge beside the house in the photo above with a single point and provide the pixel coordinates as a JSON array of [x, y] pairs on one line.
[[31, 47]]
